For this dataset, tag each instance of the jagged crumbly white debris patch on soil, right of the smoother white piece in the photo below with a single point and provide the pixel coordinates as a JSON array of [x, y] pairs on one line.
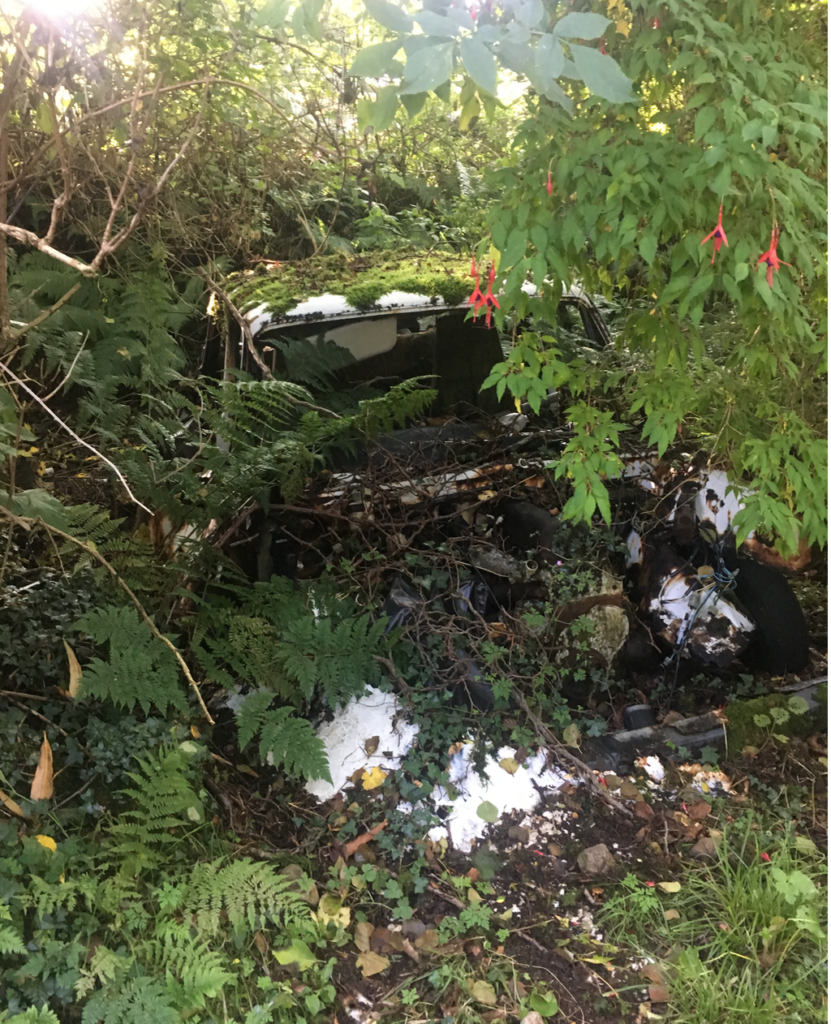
[[507, 793]]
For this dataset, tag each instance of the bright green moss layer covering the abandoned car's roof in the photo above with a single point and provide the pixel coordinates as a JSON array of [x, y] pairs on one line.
[[362, 280]]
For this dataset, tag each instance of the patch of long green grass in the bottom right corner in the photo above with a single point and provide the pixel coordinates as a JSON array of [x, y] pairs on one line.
[[743, 938]]
